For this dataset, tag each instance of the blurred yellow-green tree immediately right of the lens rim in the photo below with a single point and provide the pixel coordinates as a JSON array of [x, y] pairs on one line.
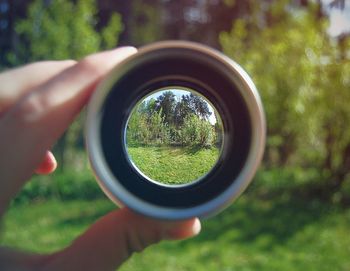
[[281, 72]]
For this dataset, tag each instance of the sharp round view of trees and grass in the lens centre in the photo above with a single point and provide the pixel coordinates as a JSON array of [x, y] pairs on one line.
[[174, 137]]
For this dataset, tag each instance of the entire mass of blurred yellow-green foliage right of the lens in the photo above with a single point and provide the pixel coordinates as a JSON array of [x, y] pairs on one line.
[[302, 75]]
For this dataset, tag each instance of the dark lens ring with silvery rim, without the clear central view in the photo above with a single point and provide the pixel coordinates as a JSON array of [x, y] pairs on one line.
[[189, 65]]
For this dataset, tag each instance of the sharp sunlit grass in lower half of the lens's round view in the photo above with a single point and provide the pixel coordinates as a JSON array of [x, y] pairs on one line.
[[174, 165]]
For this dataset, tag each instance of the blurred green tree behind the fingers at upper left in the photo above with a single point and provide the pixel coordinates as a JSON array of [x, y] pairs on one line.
[[62, 29]]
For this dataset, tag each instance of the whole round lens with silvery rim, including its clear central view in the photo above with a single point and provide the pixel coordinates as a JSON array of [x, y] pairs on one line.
[[175, 131]]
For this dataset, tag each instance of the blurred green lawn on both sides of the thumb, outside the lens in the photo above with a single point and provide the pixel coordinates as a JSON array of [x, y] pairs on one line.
[[279, 233]]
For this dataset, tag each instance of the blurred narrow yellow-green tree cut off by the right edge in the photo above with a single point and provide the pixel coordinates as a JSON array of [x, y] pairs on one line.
[[331, 114]]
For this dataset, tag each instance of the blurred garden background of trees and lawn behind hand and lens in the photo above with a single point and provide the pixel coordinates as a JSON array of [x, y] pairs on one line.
[[296, 214]]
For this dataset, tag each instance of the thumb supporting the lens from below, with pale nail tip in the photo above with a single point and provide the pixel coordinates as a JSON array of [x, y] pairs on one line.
[[112, 239]]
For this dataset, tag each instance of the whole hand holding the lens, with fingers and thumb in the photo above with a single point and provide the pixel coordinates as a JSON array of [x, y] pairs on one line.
[[37, 104]]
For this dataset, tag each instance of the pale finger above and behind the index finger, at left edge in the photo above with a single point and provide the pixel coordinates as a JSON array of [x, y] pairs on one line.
[[15, 83]]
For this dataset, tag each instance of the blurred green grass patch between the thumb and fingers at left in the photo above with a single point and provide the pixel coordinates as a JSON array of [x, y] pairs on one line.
[[50, 225]]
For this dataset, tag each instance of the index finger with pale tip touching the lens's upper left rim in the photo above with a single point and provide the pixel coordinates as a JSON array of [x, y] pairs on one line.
[[31, 127]]
